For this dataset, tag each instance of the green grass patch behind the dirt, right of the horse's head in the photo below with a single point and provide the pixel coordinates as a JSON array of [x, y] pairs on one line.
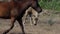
[[52, 4]]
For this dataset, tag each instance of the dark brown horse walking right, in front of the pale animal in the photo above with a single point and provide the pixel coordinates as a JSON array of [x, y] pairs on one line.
[[16, 9]]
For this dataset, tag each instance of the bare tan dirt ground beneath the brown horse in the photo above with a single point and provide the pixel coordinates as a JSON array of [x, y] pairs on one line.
[[43, 26]]
